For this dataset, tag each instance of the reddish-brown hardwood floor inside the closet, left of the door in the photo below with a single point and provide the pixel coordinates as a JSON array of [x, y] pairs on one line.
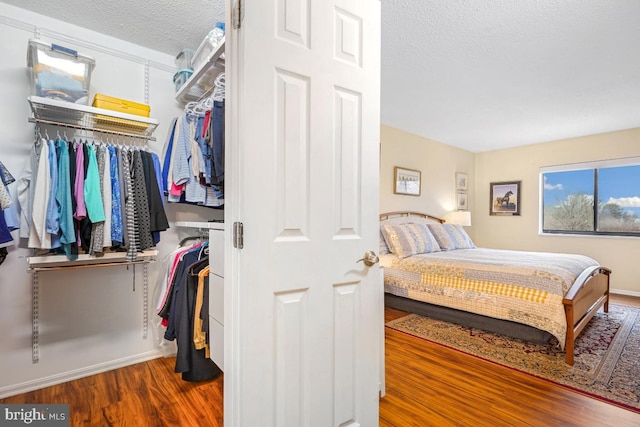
[[144, 394]]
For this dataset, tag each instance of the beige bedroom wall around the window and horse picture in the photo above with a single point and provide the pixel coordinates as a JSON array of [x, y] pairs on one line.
[[521, 232]]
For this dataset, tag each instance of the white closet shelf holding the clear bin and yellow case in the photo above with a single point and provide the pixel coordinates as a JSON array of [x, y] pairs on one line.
[[66, 114]]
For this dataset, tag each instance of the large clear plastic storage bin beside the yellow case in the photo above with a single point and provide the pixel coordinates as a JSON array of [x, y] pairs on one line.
[[59, 73]]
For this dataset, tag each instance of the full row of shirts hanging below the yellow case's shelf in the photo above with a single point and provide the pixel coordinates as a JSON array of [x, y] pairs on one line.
[[91, 196]]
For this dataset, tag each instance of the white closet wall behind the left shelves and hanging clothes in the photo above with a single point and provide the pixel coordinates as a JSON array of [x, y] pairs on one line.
[[90, 319]]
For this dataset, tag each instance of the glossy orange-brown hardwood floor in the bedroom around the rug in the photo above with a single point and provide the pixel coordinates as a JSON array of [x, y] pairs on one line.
[[430, 385]]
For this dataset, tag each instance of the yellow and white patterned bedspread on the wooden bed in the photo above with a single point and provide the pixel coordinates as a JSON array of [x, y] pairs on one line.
[[524, 287]]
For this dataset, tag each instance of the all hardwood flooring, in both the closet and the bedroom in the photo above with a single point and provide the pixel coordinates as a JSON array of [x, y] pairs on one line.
[[427, 385]]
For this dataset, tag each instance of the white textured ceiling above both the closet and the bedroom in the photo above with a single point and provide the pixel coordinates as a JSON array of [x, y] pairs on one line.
[[480, 75]]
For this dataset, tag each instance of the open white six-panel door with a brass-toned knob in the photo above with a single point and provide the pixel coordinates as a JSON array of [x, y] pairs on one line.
[[302, 315]]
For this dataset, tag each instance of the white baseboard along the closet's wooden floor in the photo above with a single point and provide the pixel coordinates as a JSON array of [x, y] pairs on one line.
[[63, 377]]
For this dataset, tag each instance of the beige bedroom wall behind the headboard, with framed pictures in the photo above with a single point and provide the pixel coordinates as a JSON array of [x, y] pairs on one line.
[[438, 164]]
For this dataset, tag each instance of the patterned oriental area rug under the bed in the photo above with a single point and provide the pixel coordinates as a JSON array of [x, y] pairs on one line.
[[607, 356]]
